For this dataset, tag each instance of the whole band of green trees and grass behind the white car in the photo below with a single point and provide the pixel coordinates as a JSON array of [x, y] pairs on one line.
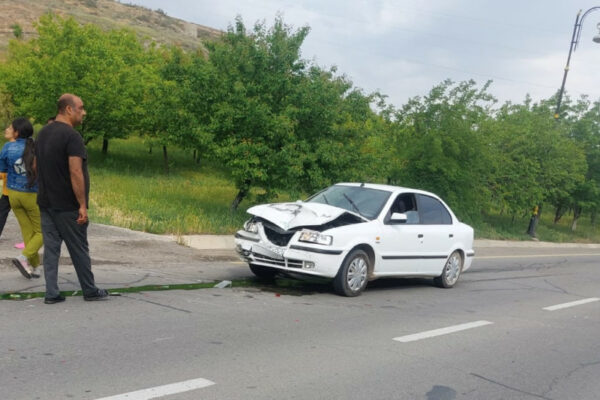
[[250, 121]]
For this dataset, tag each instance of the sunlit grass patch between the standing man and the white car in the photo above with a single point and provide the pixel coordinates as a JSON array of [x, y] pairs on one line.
[[129, 188]]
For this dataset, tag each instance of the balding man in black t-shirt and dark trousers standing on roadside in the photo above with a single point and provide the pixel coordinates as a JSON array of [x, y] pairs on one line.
[[63, 196]]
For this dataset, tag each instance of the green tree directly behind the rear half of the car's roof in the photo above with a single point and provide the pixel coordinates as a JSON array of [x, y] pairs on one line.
[[441, 147]]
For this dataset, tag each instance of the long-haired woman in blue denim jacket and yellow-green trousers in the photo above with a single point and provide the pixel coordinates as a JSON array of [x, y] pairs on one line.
[[17, 159]]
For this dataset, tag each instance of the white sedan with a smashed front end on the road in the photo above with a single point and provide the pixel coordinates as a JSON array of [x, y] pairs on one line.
[[356, 232]]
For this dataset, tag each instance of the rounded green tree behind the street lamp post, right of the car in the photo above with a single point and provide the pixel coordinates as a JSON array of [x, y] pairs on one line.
[[540, 163]]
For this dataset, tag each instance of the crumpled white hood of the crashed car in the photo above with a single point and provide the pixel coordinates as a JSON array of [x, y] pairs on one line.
[[292, 215]]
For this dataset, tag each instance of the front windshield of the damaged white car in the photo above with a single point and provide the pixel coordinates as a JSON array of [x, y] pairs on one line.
[[361, 200]]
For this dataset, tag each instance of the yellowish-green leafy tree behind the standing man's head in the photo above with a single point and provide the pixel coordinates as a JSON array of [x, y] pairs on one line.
[[103, 68]]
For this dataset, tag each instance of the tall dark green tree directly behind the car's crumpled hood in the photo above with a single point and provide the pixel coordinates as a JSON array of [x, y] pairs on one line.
[[253, 133]]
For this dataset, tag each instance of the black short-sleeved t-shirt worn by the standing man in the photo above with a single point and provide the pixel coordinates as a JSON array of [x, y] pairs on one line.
[[57, 142]]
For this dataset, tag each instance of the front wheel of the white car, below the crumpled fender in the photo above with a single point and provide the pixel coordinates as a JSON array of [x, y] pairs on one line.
[[351, 279]]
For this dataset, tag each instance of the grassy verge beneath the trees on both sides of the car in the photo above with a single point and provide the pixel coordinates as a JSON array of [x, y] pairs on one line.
[[130, 189]]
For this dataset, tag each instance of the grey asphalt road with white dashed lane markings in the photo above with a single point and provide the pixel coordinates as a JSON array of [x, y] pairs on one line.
[[307, 343]]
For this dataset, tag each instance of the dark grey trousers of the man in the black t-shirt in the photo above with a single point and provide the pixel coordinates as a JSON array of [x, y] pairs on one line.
[[59, 226]]
